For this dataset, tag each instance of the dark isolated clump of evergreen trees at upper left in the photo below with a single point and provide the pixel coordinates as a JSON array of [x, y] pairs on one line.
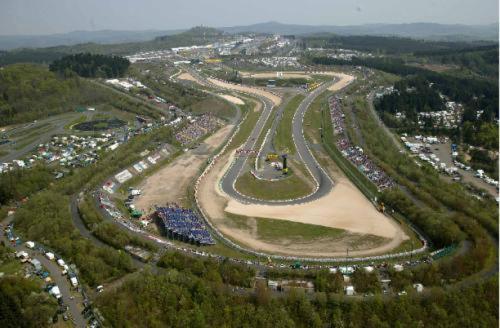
[[90, 65]]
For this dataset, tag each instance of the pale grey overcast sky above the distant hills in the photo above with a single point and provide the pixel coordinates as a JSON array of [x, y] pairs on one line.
[[59, 16]]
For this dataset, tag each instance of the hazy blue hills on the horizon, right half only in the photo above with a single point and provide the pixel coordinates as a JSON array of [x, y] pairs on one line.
[[430, 31]]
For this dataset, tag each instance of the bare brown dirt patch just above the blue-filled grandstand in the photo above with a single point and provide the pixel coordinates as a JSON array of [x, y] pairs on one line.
[[169, 184]]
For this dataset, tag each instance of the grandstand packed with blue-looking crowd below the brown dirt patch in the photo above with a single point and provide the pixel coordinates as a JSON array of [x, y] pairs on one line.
[[183, 224]]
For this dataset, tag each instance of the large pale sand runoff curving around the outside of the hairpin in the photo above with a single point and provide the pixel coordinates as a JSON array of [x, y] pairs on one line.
[[343, 208]]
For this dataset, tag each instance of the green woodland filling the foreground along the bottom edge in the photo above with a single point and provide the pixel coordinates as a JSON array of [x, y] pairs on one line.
[[180, 299]]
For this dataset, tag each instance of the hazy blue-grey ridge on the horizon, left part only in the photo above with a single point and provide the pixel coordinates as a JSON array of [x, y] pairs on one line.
[[8, 42]]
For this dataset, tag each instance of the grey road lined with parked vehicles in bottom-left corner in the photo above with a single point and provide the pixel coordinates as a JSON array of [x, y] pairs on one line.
[[71, 300]]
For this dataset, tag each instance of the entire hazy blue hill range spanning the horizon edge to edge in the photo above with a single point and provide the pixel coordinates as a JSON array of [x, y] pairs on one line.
[[429, 31]]
